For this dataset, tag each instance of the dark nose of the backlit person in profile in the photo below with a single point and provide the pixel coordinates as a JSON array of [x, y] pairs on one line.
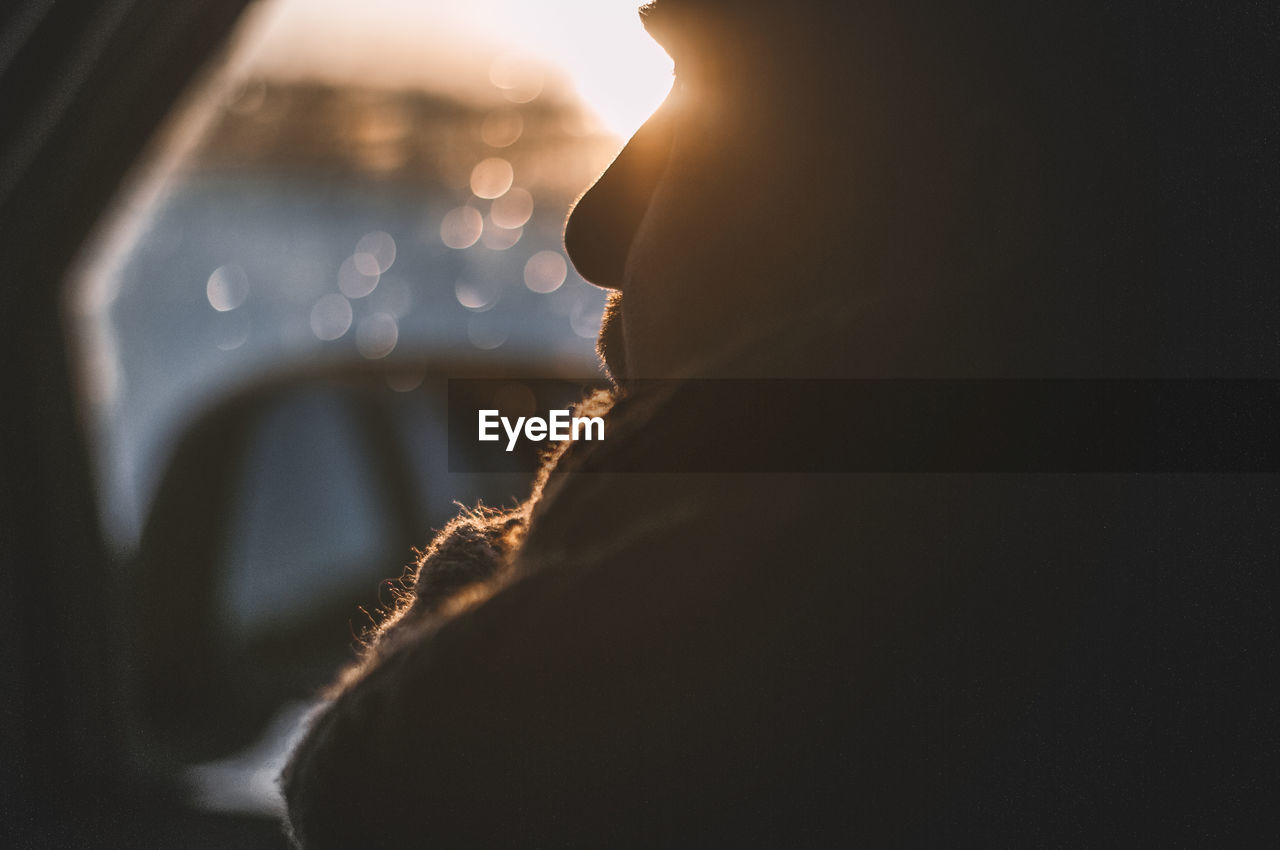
[[602, 225]]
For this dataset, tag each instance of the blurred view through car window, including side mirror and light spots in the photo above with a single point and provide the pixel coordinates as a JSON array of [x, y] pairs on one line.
[[354, 204]]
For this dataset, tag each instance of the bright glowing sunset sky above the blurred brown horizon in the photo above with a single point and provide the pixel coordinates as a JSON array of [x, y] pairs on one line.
[[597, 47]]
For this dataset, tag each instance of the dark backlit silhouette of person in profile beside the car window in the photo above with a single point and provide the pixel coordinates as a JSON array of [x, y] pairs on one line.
[[916, 190]]
